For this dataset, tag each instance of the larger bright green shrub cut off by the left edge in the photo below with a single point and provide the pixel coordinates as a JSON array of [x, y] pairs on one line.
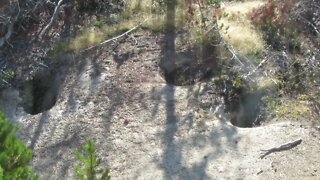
[[14, 155]]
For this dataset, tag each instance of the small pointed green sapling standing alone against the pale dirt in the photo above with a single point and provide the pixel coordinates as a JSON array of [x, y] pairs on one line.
[[88, 169]]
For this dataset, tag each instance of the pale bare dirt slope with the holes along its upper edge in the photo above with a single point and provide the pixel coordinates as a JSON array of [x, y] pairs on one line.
[[147, 129]]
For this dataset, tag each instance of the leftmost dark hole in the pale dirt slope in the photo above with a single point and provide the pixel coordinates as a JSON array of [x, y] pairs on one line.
[[40, 93]]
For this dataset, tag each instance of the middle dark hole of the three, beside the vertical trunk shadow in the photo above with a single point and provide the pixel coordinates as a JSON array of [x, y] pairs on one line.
[[190, 67]]
